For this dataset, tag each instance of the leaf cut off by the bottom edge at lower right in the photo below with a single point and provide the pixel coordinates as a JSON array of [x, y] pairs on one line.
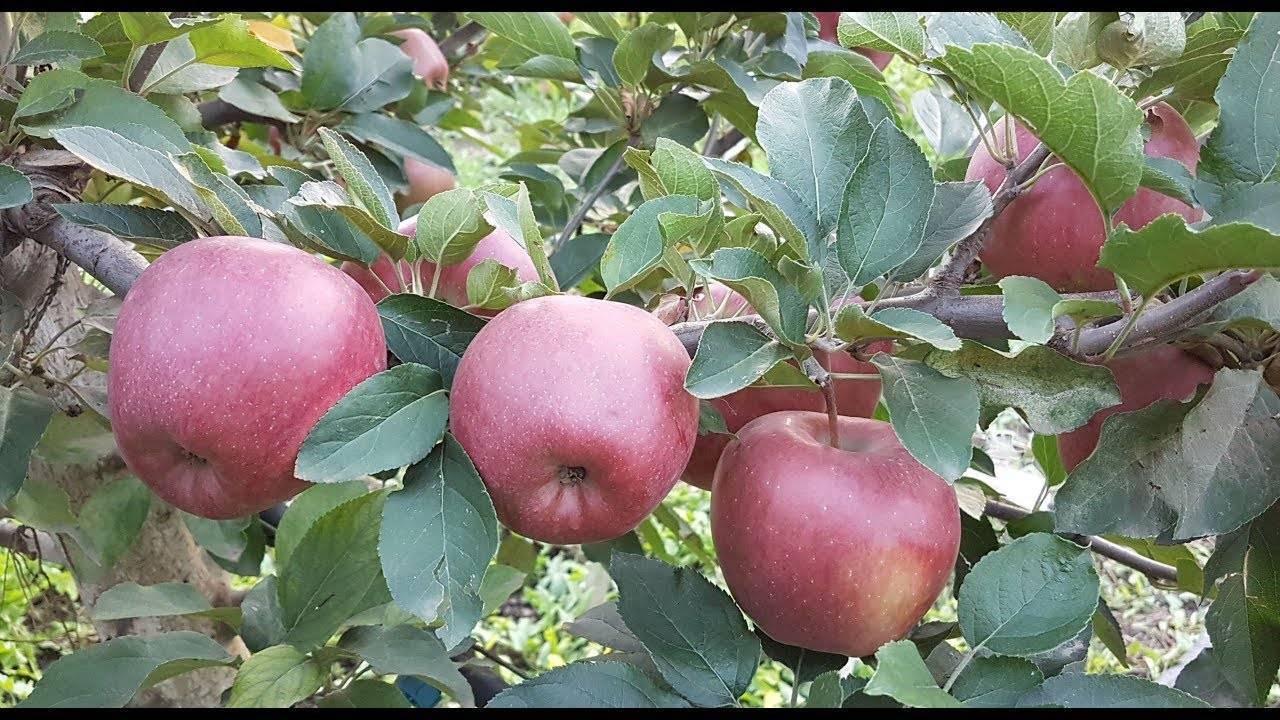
[[1077, 690]]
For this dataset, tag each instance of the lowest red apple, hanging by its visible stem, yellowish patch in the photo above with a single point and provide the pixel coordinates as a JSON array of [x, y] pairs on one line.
[[836, 550]]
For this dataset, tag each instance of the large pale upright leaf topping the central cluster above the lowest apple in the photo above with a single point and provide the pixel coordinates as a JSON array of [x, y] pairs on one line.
[[816, 135]]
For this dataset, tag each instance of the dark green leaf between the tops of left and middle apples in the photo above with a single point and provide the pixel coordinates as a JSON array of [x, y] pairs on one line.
[[429, 332]]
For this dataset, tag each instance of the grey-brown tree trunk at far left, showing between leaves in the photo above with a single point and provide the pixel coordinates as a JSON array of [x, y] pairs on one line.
[[164, 550]]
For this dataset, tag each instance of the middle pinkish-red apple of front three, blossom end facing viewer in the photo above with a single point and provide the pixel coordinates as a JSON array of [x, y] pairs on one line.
[[575, 414]]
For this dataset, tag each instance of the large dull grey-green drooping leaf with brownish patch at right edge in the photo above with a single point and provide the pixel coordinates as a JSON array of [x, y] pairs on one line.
[[1180, 472]]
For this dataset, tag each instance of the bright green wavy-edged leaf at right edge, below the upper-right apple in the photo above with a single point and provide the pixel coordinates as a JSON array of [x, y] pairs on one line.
[[1167, 252]]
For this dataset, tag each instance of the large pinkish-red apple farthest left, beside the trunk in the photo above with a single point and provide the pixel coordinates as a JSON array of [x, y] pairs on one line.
[[226, 354]]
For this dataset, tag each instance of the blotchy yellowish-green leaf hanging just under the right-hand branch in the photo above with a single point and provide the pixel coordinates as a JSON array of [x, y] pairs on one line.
[[1054, 393]]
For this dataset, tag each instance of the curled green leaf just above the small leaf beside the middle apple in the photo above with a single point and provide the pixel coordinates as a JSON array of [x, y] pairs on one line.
[[778, 302]]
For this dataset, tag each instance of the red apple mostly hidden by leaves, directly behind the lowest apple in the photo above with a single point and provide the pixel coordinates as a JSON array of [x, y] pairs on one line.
[[853, 398]]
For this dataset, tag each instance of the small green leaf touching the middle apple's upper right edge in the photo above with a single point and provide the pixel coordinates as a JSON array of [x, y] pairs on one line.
[[732, 356]]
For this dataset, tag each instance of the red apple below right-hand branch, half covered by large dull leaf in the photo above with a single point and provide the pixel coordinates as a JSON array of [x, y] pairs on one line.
[[1144, 379]]
